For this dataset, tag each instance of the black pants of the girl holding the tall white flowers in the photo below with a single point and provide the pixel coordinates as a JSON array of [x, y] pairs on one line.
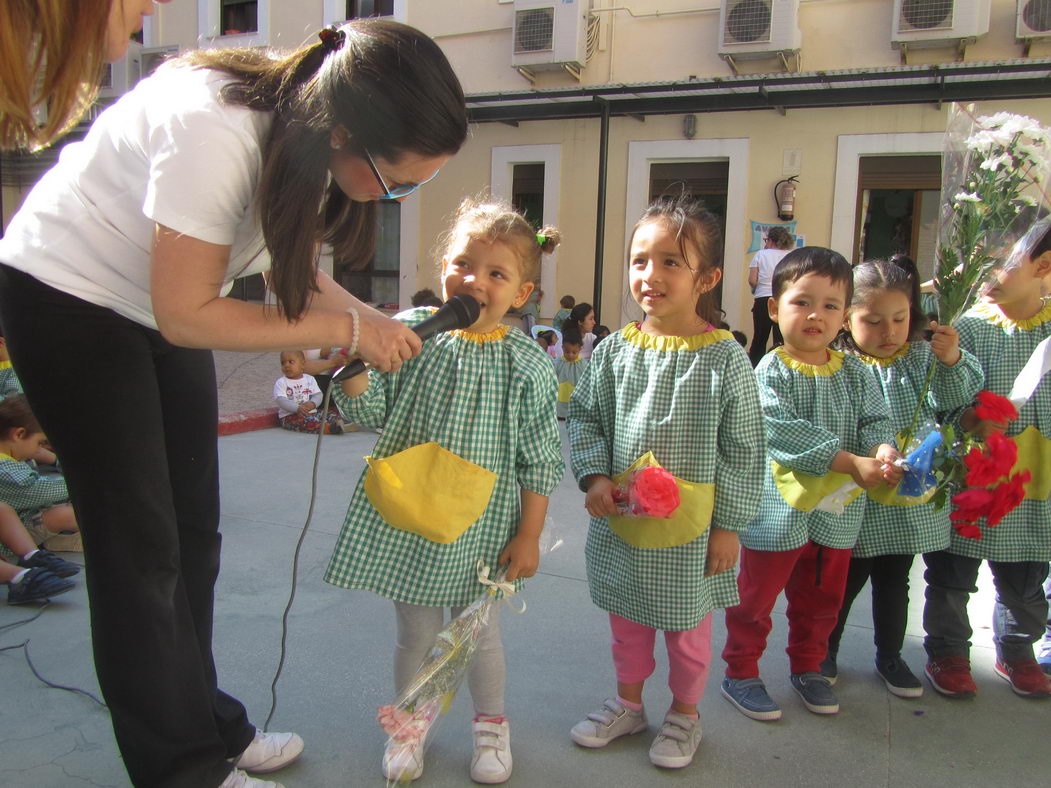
[[891, 600]]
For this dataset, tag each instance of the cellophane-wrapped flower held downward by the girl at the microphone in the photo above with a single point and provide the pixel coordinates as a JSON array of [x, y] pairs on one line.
[[411, 720]]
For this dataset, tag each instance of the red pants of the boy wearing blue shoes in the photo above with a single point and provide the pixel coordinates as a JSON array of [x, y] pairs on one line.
[[814, 579]]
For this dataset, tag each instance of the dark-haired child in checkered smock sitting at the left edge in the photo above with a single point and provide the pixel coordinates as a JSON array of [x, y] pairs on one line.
[[43, 503]]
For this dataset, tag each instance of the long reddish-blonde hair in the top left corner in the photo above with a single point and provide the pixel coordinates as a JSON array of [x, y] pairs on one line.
[[51, 57]]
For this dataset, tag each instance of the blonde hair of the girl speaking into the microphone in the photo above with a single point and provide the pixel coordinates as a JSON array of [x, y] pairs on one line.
[[494, 220]]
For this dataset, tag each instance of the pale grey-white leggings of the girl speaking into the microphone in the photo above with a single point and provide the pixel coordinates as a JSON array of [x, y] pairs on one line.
[[418, 628]]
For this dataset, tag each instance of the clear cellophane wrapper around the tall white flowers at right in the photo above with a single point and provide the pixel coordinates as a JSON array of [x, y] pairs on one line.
[[995, 171]]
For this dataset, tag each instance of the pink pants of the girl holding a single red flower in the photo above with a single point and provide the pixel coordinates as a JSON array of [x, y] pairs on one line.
[[689, 656]]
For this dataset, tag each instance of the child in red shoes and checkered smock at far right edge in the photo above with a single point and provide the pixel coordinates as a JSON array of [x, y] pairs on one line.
[[1003, 330]]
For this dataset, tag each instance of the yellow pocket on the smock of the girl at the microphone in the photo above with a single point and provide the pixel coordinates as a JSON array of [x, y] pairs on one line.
[[429, 491]]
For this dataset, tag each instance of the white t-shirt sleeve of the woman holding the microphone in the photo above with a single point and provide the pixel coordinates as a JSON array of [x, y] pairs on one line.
[[204, 164]]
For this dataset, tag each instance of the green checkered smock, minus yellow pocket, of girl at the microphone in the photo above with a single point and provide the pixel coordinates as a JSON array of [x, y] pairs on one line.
[[489, 399]]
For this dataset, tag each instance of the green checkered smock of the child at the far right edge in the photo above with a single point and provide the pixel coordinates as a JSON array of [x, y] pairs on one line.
[[1003, 347]]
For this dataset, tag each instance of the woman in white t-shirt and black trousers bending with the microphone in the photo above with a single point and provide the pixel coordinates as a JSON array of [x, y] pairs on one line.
[[222, 164]]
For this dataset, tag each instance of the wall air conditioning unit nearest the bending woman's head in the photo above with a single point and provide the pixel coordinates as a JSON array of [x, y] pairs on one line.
[[550, 35]]
